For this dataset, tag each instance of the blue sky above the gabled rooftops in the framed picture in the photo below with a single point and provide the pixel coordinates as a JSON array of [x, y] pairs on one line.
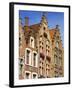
[[53, 19]]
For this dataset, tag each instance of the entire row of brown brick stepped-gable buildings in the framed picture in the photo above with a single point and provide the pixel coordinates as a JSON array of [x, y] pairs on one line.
[[41, 54]]
